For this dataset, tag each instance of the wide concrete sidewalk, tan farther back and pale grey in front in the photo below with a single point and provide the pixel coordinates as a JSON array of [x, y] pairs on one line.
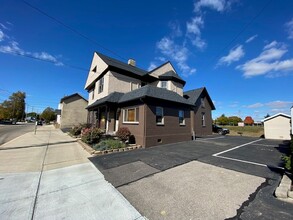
[[48, 176]]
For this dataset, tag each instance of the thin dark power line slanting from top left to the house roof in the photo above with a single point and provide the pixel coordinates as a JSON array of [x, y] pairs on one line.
[[71, 29]]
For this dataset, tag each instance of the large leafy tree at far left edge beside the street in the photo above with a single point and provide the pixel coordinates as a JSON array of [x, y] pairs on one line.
[[14, 107]]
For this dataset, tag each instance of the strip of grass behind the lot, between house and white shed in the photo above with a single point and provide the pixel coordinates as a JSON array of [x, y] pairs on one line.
[[250, 131]]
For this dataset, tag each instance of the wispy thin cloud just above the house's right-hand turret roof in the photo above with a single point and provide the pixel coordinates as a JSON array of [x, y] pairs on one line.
[[177, 53]]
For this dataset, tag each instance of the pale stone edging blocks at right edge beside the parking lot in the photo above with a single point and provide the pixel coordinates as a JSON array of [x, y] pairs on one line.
[[283, 191]]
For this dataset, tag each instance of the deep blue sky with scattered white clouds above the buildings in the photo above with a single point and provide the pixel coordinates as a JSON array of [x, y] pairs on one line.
[[240, 50]]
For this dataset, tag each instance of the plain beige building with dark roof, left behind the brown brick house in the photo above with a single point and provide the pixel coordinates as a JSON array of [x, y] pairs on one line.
[[72, 111]]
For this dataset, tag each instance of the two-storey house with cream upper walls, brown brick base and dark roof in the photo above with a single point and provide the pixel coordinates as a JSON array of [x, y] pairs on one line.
[[151, 104]]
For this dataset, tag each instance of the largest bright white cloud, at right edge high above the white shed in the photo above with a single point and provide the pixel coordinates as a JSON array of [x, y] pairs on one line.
[[268, 62]]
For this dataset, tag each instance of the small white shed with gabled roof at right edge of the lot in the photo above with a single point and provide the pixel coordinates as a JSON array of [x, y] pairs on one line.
[[277, 127]]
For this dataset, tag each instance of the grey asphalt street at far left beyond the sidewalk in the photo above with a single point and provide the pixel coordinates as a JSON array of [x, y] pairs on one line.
[[9, 132]]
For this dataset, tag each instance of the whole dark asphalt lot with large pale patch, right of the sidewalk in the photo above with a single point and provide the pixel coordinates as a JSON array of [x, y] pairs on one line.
[[219, 177]]
